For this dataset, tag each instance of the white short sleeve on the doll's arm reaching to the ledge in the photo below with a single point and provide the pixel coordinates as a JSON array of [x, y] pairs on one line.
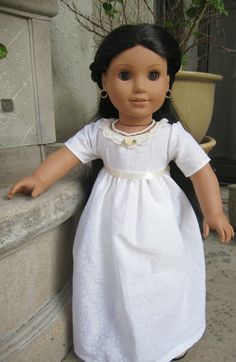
[[84, 143]]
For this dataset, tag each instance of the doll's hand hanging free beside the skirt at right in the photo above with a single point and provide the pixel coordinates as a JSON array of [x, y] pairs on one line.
[[220, 224]]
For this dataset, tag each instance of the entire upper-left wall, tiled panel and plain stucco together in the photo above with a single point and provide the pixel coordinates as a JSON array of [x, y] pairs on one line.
[[43, 56]]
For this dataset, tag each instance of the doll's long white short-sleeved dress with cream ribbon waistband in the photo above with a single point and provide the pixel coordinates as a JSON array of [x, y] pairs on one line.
[[139, 273]]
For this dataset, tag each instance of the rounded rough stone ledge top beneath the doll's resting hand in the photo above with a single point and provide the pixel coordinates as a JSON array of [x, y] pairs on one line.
[[24, 218]]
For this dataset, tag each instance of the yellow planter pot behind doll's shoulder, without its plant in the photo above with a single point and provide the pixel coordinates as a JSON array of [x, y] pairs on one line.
[[193, 99]]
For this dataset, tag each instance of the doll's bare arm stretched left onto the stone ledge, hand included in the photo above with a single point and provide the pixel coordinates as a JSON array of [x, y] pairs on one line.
[[55, 166]]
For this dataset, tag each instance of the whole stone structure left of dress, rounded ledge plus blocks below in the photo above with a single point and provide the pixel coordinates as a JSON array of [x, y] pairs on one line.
[[35, 270]]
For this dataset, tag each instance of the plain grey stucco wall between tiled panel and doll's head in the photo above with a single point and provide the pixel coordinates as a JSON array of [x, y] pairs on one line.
[[75, 94]]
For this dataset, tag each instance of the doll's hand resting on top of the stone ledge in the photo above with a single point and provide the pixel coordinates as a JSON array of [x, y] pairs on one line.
[[29, 185]]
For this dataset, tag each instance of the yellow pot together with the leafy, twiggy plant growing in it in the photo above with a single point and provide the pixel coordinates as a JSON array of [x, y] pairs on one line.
[[193, 92]]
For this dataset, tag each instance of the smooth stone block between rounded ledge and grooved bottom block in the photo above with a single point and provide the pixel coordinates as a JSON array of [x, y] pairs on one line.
[[31, 275]]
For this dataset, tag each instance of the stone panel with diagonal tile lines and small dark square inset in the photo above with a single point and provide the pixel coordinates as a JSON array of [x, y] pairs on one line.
[[25, 79]]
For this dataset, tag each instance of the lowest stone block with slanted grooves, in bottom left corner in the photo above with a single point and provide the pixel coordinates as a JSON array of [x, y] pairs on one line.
[[47, 336]]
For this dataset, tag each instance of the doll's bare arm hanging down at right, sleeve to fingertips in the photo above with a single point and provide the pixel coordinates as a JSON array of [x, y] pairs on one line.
[[208, 193]]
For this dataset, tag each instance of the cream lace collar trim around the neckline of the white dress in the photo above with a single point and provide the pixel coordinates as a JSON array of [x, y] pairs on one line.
[[132, 140]]
